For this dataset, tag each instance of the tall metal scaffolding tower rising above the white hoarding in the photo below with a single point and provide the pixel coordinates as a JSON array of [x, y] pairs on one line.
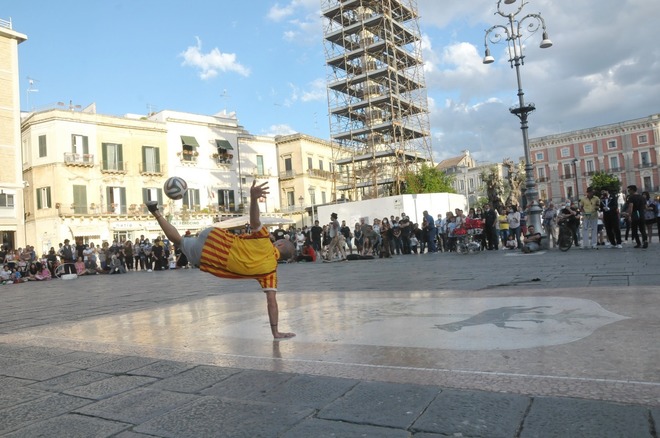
[[376, 94]]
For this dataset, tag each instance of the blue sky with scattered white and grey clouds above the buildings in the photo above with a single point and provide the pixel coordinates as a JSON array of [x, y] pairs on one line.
[[265, 61]]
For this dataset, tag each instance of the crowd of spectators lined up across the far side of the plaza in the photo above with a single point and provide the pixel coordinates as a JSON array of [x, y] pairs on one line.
[[597, 219]]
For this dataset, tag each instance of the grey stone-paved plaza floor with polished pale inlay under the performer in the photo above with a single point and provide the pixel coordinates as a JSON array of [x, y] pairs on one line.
[[494, 344]]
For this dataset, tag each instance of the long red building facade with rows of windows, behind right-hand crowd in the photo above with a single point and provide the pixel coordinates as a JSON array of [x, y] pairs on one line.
[[565, 163]]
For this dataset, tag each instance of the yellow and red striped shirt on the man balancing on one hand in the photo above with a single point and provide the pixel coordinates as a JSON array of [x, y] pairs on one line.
[[228, 255]]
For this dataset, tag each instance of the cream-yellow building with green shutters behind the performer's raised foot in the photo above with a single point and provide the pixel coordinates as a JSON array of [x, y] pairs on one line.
[[88, 176]]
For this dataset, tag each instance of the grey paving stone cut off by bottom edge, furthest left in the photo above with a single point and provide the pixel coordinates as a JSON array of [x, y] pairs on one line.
[[70, 426]]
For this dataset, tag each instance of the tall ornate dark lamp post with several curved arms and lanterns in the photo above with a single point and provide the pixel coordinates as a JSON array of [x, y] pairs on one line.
[[511, 32]]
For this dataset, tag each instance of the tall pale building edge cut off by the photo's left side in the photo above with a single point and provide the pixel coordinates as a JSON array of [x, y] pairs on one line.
[[12, 230]]
